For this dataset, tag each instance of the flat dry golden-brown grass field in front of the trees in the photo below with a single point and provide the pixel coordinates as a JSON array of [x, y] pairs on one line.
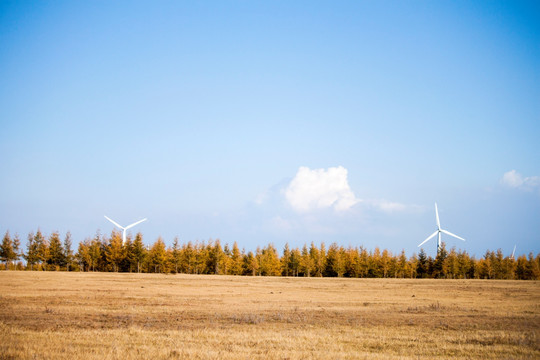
[[45, 315]]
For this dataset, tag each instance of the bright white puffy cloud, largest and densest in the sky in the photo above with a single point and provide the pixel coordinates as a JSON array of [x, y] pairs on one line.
[[319, 189]]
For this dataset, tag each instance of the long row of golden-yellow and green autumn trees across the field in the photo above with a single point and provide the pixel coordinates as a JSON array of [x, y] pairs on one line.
[[102, 253]]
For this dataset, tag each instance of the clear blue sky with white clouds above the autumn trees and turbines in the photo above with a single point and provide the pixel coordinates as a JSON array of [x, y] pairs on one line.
[[283, 121]]
